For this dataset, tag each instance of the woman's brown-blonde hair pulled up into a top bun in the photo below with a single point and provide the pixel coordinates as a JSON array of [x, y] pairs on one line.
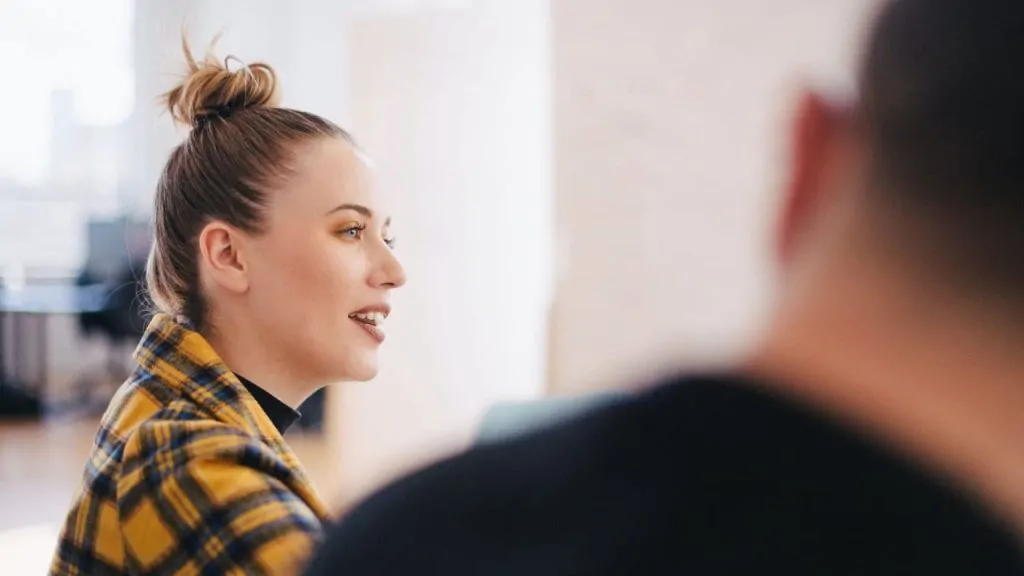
[[240, 146]]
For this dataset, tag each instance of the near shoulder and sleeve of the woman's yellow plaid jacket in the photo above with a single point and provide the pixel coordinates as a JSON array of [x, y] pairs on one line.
[[194, 481]]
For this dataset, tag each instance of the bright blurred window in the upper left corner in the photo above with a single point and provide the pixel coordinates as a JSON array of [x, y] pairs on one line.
[[67, 72]]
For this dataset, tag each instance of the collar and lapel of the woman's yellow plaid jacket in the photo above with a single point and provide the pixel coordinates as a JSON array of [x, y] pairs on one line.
[[183, 360]]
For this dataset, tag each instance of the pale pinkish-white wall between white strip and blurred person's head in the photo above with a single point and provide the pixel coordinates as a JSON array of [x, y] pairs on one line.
[[671, 125]]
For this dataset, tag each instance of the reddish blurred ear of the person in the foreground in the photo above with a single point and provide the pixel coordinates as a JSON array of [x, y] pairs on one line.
[[815, 138]]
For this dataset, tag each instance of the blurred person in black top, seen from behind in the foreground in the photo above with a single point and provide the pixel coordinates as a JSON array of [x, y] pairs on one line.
[[878, 428]]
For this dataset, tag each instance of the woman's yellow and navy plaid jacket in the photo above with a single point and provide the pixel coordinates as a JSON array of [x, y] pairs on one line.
[[188, 475]]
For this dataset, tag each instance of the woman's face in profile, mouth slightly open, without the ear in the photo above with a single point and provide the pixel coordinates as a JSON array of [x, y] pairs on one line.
[[322, 273]]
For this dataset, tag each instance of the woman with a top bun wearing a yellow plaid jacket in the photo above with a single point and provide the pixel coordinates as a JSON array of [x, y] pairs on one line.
[[271, 271]]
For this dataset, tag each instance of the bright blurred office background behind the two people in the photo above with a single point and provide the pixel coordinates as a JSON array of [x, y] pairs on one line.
[[583, 192]]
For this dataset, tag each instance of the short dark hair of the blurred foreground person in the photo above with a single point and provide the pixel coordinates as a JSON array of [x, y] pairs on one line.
[[943, 103]]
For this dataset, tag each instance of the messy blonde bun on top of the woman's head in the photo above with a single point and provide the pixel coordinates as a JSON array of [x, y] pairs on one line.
[[211, 90]]
